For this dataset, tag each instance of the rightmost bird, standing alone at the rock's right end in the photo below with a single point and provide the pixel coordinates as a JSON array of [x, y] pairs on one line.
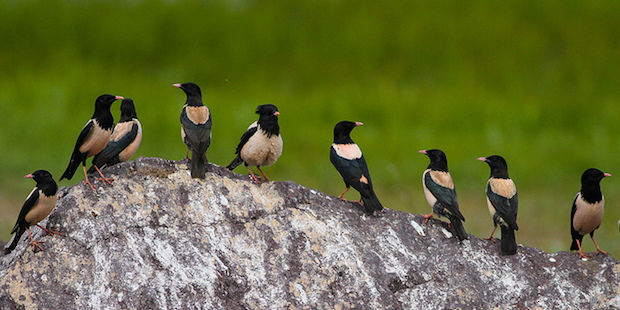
[[587, 211]]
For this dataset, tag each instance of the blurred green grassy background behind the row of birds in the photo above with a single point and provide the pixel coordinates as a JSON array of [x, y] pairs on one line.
[[534, 81]]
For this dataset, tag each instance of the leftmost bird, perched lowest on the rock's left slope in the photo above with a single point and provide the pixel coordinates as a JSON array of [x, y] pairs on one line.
[[38, 205]]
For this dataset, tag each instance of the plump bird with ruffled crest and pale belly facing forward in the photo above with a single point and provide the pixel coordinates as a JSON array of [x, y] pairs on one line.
[[261, 144]]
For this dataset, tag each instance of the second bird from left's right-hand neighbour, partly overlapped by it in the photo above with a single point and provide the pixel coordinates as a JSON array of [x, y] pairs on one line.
[[123, 142]]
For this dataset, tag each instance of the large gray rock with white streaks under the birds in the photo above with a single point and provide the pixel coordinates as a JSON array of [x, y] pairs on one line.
[[161, 240]]
